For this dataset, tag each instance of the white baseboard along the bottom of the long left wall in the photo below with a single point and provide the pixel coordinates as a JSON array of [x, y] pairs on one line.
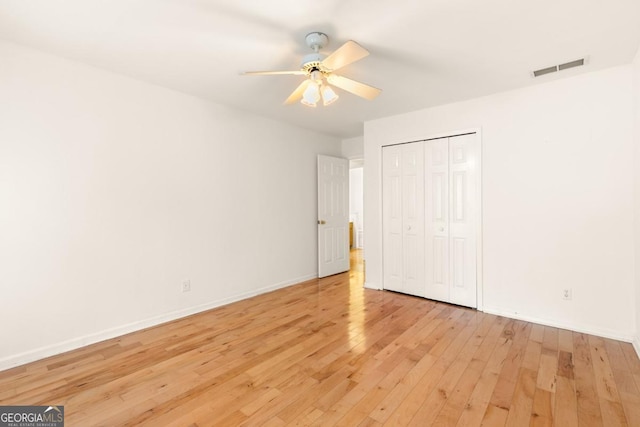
[[75, 343]]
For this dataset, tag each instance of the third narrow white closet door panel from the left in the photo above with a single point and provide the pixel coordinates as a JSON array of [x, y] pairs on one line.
[[436, 176]]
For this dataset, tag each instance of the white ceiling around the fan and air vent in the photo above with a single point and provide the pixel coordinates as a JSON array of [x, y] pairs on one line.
[[423, 52]]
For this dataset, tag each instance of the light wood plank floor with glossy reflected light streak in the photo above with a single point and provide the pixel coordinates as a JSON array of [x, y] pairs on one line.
[[328, 352]]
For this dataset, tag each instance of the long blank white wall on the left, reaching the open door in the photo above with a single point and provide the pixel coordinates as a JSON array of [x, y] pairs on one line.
[[113, 191]]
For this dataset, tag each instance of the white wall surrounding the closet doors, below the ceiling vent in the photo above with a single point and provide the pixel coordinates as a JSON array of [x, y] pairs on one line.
[[557, 198]]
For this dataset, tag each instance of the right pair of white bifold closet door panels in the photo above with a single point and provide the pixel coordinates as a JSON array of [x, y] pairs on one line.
[[450, 219]]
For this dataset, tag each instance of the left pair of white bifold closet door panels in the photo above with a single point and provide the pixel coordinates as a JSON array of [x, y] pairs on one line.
[[403, 218]]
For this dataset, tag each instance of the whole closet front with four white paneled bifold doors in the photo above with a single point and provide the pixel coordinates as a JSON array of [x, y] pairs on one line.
[[431, 208]]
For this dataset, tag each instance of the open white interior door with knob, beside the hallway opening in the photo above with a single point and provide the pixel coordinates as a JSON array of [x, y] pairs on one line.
[[333, 215]]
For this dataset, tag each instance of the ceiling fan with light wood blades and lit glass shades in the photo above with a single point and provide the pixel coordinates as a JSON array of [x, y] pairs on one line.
[[319, 71]]
